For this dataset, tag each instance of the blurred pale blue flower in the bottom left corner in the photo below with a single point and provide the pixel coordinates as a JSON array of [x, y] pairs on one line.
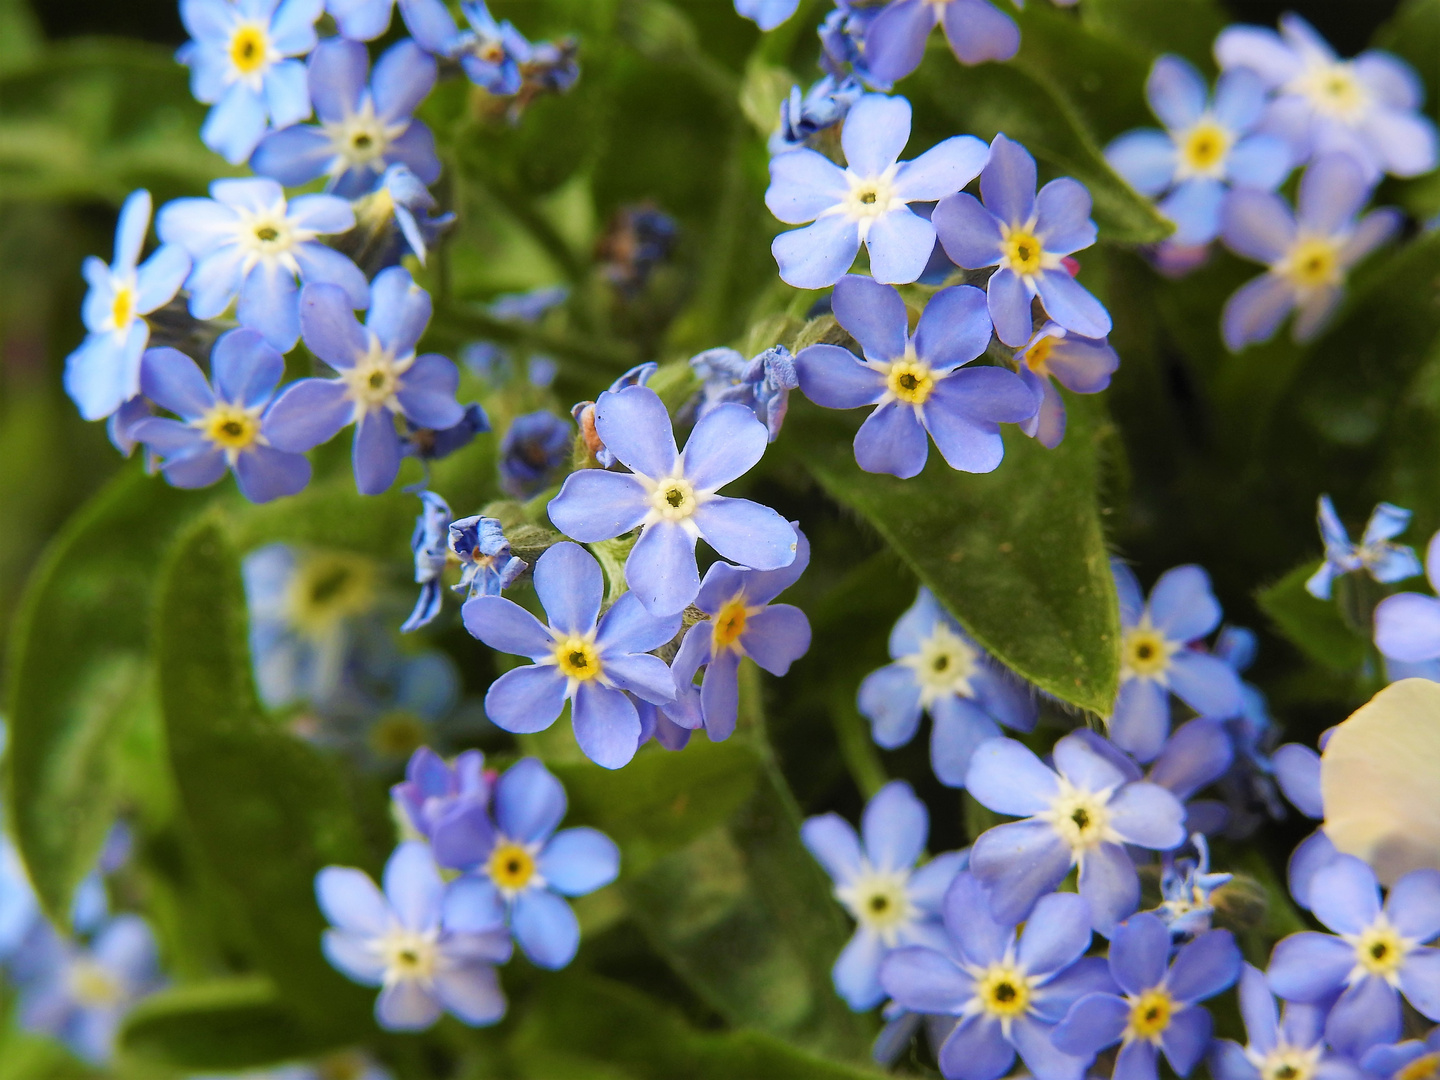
[[80, 994]]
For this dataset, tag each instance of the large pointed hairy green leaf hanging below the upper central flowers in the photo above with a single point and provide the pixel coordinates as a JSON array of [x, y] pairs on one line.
[[1016, 555]]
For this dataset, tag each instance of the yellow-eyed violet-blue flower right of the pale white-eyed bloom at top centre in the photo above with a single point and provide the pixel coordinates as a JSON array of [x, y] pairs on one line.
[[1027, 237]]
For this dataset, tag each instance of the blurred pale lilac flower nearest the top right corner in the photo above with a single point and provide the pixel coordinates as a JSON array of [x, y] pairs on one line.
[[1367, 109]]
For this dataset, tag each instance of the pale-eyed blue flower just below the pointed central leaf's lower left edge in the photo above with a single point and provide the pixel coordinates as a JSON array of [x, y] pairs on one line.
[[940, 670]]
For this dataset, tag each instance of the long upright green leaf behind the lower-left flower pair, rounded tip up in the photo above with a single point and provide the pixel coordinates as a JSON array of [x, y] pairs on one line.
[[269, 811]]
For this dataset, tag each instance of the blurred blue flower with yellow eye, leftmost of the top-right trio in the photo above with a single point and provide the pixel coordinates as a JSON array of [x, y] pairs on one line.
[[1207, 148]]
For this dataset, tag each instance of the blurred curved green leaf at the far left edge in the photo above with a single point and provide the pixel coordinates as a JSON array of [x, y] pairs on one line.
[[80, 679]]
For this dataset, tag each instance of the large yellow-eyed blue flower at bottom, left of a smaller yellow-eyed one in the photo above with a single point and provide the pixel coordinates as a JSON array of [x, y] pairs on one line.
[[1007, 994]]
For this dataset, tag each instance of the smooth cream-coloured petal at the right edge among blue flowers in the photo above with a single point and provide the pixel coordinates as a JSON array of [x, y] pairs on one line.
[[1380, 781]]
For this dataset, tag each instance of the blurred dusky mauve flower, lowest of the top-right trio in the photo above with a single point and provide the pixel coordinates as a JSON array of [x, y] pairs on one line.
[[1308, 256]]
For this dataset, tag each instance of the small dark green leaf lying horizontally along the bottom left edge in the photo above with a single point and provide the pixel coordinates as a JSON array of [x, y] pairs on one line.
[[237, 1023]]
